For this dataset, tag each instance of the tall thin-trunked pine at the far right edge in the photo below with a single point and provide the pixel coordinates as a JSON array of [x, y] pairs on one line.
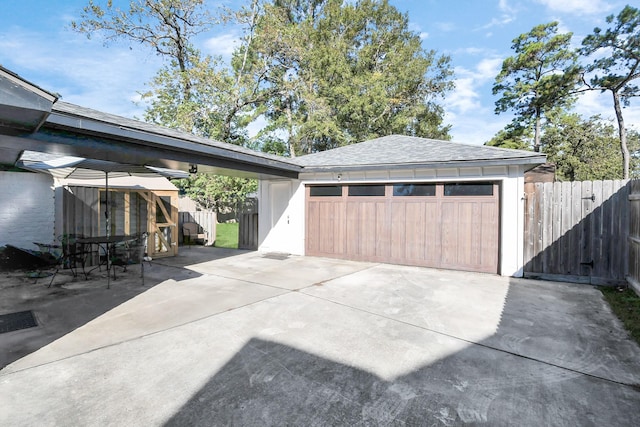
[[616, 66]]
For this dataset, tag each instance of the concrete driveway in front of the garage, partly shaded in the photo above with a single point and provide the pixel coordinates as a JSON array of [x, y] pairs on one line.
[[242, 338]]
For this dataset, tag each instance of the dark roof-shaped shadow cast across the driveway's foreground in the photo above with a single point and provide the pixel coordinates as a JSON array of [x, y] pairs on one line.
[[541, 367]]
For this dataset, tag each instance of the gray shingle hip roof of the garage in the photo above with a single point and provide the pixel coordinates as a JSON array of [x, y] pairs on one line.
[[397, 150]]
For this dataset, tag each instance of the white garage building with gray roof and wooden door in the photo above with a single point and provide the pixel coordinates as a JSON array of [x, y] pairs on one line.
[[403, 200]]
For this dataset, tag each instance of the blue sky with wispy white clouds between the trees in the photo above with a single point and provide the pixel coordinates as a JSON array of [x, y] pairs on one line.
[[37, 44]]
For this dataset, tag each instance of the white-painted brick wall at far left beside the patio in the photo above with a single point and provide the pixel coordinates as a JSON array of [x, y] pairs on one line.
[[27, 209]]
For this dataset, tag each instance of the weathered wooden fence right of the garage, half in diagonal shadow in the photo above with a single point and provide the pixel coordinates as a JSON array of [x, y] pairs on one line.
[[577, 231]]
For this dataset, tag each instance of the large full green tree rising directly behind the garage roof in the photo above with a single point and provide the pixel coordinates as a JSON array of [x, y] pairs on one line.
[[341, 73]]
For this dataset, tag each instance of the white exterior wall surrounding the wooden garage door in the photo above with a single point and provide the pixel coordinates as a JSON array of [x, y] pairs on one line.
[[282, 205]]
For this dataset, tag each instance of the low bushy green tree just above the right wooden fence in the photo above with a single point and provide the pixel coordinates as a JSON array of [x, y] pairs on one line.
[[582, 149]]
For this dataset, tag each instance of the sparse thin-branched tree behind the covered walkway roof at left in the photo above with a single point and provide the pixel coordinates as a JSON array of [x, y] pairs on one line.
[[190, 93]]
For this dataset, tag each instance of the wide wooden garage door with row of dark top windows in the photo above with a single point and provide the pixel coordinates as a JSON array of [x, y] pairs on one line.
[[441, 225]]
